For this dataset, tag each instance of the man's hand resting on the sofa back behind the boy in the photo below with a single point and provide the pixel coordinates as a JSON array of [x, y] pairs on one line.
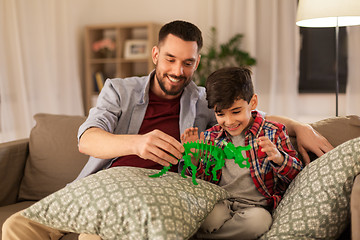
[[308, 139]]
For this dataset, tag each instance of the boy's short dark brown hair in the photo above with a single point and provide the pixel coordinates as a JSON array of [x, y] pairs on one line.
[[226, 85]]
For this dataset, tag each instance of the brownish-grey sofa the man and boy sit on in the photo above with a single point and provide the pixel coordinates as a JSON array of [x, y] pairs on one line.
[[33, 168]]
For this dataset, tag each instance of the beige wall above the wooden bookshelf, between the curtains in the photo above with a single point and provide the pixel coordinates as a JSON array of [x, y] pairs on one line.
[[87, 12]]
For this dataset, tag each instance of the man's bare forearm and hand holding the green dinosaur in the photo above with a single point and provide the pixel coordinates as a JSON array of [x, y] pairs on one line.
[[156, 145]]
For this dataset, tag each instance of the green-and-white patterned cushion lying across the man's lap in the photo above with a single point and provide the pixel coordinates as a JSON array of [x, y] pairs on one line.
[[124, 203]]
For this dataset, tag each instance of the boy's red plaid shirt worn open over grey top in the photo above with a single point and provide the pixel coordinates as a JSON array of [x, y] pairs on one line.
[[270, 179]]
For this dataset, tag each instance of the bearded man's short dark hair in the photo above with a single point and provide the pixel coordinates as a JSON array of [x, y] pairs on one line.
[[184, 30]]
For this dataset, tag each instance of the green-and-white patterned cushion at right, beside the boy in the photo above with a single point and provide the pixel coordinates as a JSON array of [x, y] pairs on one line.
[[317, 203]]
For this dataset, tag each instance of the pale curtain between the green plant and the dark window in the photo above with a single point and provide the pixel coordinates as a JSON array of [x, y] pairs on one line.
[[271, 36]]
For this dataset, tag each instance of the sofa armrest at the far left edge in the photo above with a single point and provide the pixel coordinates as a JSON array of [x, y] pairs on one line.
[[13, 157]]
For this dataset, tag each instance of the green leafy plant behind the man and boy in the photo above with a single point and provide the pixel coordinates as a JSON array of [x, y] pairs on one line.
[[227, 54]]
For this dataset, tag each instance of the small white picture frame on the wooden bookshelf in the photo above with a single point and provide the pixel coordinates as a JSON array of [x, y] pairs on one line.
[[136, 48]]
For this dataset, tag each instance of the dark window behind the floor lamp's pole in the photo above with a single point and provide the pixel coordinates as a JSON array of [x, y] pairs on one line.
[[317, 60]]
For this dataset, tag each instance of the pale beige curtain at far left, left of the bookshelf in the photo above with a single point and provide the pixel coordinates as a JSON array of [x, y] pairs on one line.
[[39, 69]]
